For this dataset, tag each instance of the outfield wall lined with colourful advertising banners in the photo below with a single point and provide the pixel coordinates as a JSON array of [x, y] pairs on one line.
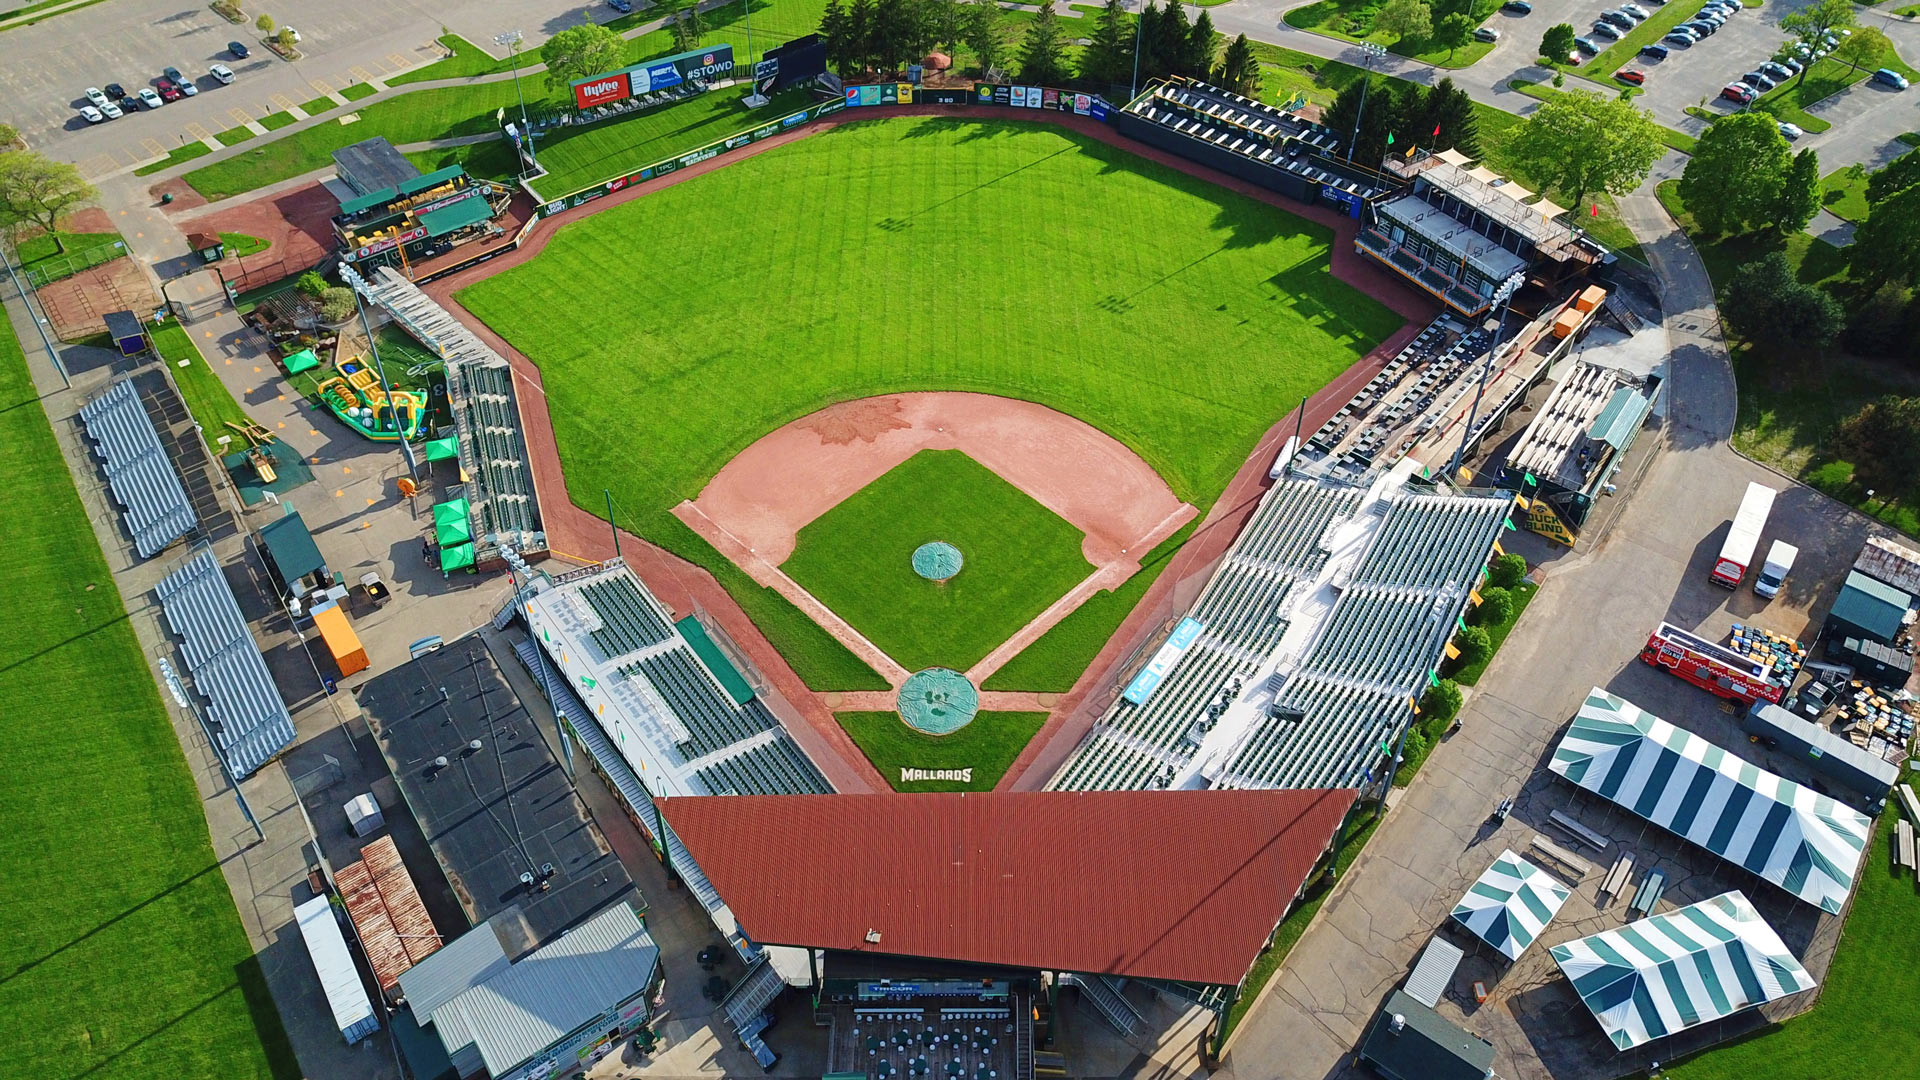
[[873, 95]]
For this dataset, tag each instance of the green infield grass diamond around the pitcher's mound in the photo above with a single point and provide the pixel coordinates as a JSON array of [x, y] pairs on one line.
[[1019, 558]]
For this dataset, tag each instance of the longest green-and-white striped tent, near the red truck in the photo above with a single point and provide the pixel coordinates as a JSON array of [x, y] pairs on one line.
[[1785, 833]]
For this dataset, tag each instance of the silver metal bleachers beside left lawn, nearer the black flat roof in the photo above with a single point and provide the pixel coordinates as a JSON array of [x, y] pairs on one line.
[[247, 718]]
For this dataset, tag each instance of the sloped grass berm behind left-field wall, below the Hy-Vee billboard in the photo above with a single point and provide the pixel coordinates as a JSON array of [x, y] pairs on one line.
[[588, 157]]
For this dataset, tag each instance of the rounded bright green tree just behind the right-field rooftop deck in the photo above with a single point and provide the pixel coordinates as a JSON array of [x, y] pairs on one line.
[[1585, 143]]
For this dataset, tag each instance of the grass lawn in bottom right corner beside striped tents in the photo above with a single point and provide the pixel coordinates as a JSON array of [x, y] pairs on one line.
[[1852, 1023]]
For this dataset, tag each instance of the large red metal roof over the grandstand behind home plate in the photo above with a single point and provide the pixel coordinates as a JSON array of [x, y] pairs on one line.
[[1149, 885]]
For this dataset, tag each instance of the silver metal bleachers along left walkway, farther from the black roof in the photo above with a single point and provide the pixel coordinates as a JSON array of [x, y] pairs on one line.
[[143, 479]]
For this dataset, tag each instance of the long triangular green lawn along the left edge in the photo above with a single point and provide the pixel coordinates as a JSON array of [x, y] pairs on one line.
[[124, 954]]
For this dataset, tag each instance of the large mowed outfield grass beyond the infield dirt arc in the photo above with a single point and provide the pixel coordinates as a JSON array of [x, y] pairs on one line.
[[1155, 307]]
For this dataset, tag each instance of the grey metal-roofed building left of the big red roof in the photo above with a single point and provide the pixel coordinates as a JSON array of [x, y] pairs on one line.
[[552, 1002]]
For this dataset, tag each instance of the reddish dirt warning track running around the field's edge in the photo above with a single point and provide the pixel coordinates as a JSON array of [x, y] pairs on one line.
[[683, 585]]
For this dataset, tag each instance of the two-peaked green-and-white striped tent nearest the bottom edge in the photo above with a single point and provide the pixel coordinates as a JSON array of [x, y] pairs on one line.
[[1671, 971]]
